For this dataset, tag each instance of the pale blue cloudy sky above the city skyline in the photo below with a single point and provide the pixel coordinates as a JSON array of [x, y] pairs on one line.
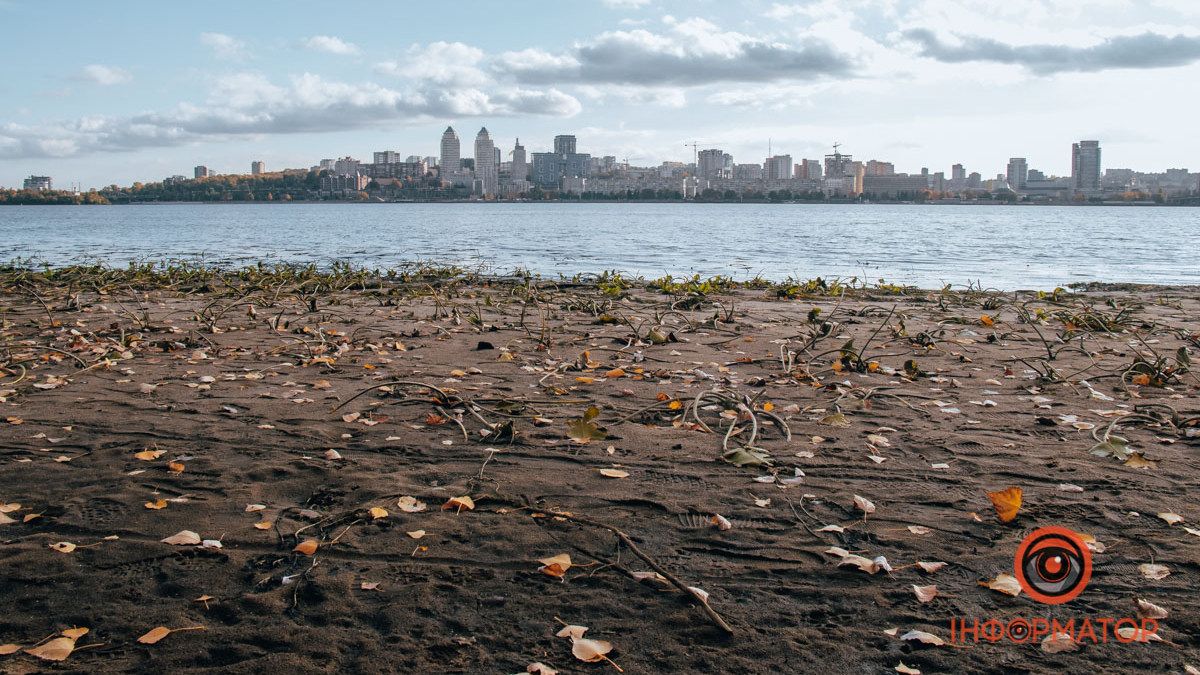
[[95, 94]]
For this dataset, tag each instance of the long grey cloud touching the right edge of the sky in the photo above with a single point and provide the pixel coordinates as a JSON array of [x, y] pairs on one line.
[[1144, 51]]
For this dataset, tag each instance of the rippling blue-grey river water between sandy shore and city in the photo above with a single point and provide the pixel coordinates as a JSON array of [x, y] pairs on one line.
[[1001, 247]]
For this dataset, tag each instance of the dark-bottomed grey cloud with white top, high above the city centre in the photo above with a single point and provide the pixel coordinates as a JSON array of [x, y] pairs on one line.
[[689, 53]]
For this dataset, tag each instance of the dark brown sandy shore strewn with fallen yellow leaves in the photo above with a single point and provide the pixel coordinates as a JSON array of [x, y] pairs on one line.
[[248, 410]]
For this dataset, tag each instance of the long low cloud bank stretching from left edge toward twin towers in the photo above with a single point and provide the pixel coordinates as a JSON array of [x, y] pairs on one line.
[[249, 105]]
